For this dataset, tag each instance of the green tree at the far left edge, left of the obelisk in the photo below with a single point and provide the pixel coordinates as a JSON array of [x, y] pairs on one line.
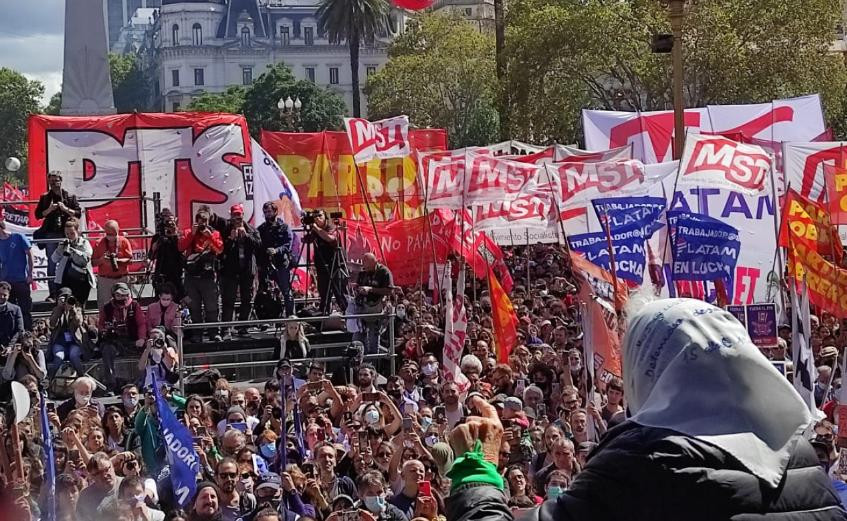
[[19, 97]]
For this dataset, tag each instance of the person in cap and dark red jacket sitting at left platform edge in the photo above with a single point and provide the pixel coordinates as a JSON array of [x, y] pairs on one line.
[[123, 330]]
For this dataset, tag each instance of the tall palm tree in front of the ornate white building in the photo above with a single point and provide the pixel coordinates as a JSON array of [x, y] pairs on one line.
[[353, 21]]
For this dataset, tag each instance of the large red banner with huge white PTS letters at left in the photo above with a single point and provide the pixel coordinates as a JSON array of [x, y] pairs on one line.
[[205, 158]]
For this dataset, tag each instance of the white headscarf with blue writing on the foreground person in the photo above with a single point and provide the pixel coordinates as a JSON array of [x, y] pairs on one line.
[[691, 367]]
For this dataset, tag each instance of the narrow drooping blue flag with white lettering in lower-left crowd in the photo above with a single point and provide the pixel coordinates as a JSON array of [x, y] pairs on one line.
[[182, 459]]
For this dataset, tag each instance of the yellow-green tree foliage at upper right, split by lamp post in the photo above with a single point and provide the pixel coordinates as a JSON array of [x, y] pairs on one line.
[[565, 55]]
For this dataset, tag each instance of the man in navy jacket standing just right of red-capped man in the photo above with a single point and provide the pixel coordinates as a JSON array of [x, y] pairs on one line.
[[276, 262]]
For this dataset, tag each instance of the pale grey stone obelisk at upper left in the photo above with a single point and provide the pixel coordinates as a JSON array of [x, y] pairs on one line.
[[86, 84]]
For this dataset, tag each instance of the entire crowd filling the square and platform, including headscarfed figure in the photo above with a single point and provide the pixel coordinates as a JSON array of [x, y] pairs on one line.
[[364, 444]]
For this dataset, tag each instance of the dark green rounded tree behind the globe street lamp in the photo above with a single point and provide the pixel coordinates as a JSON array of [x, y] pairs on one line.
[[322, 109]]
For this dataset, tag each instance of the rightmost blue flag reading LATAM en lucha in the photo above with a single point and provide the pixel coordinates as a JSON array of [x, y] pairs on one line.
[[704, 248]]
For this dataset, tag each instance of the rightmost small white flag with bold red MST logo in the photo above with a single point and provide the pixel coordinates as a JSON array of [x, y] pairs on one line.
[[740, 164]]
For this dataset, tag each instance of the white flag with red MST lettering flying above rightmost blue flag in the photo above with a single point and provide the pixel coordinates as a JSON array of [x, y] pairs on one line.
[[718, 162]]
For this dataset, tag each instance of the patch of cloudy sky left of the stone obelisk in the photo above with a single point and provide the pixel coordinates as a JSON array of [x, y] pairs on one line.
[[32, 39]]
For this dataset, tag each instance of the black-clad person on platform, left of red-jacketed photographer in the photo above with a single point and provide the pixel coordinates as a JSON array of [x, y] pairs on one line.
[[164, 256]]
